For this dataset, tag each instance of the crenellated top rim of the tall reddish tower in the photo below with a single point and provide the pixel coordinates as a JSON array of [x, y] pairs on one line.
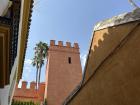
[[60, 44]]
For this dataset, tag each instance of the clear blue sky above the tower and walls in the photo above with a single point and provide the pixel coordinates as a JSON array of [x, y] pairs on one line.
[[67, 20]]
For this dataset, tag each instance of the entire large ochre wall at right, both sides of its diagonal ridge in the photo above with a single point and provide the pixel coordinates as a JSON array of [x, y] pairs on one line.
[[113, 68]]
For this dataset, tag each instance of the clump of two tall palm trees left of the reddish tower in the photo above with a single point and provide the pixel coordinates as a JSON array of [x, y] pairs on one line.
[[39, 57]]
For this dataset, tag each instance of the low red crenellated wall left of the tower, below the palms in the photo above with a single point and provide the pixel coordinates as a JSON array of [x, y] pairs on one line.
[[31, 93]]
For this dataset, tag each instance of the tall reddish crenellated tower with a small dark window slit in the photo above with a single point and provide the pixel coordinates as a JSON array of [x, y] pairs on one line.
[[64, 71]]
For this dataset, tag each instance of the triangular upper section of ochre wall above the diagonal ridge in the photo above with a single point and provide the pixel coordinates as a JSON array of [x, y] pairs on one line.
[[104, 43]]
